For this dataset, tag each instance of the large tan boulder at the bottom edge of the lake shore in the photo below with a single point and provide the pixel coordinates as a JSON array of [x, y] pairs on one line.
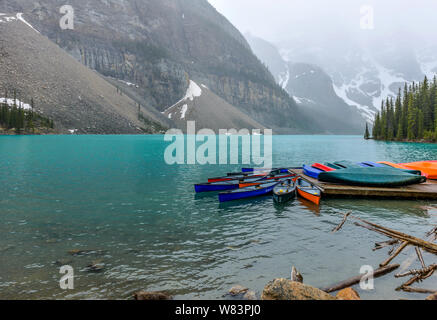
[[284, 289]]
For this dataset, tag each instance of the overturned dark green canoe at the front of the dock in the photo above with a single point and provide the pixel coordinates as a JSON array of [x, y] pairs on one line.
[[372, 177]]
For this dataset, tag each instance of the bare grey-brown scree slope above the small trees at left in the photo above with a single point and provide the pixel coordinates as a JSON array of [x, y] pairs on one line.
[[78, 99]]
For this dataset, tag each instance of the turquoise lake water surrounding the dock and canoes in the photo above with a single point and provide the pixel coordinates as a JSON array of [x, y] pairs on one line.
[[115, 196]]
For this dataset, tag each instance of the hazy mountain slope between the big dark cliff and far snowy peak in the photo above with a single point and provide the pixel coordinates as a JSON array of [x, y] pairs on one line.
[[312, 89]]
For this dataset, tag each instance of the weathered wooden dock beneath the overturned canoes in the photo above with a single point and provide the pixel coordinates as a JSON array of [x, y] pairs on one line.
[[427, 190]]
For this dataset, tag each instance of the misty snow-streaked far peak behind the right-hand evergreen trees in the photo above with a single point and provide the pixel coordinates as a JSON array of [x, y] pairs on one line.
[[367, 71]]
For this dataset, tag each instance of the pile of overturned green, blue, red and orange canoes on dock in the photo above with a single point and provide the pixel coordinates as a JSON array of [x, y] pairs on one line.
[[381, 174]]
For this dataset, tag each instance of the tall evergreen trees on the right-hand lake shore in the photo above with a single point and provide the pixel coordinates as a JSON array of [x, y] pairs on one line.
[[411, 116]]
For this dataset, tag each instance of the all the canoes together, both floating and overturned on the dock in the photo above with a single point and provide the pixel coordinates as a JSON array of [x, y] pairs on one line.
[[285, 185]]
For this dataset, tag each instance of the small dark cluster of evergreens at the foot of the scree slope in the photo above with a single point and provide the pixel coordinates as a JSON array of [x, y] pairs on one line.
[[20, 119]]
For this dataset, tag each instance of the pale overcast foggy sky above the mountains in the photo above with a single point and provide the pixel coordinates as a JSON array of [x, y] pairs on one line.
[[279, 20]]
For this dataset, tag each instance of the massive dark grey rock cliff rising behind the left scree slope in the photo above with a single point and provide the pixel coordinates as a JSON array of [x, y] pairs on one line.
[[159, 45]]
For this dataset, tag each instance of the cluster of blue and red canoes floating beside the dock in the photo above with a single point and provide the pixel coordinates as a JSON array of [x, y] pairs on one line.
[[251, 183]]
